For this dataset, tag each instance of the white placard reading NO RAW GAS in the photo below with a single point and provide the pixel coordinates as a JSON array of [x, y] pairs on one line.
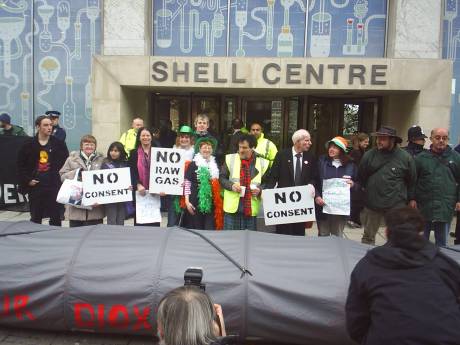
[[167, 171]]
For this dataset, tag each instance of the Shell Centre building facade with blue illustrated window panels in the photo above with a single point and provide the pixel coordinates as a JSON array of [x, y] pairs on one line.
[[334, 67]]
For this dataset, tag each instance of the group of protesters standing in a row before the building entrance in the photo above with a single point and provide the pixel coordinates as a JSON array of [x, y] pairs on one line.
[[223, 191]]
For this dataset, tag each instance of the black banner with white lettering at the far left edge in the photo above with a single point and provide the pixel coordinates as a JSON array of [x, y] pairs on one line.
[[10, 198]]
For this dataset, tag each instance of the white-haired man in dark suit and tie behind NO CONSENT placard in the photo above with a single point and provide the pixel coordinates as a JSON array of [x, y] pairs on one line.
[[295, 166]]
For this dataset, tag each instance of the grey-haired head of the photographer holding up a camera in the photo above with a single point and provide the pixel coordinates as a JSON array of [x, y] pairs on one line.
[[186, 317]]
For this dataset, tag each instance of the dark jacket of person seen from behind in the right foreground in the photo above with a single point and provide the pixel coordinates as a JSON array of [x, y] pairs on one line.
[[404, 292]]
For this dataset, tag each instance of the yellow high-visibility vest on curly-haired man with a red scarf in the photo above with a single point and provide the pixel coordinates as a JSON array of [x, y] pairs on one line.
[[231, 198]]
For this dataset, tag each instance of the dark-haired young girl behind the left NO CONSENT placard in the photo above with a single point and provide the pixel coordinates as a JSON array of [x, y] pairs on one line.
[[116, 158]]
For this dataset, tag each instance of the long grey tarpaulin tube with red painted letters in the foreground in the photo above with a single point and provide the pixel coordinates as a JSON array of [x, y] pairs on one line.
[[109, 279]]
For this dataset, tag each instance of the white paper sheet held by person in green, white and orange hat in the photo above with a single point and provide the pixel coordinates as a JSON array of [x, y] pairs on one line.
[[336, 196]]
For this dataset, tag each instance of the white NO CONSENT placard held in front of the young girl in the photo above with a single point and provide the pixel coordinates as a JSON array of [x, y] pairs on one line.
[[106, 186]]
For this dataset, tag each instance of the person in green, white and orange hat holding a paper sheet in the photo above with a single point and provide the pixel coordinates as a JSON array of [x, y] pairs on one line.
[[336, 164]]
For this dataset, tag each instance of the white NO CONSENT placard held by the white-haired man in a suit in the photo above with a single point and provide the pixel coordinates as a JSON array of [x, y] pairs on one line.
[[288, 205]]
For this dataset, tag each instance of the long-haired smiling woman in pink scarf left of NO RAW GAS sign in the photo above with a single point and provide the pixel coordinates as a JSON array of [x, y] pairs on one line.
[[139, 163]]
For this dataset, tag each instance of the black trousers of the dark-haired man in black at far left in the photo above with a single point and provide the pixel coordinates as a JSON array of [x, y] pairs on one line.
[[43, 204]]
